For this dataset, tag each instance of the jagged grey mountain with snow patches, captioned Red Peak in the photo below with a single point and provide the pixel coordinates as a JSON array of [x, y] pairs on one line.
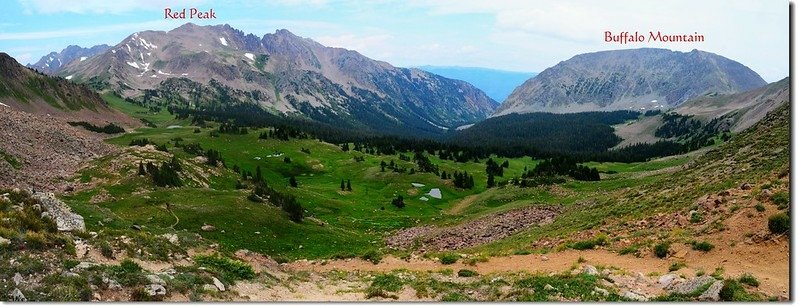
[[286, 74]]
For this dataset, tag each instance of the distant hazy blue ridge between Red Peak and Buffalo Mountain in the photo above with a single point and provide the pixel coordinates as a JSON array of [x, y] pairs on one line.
[[497, 84]]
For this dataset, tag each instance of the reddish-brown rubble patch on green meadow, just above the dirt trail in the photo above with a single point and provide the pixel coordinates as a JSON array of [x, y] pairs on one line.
[[473, 233]]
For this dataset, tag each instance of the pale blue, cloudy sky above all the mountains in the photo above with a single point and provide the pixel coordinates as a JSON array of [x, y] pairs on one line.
[[516, 35]]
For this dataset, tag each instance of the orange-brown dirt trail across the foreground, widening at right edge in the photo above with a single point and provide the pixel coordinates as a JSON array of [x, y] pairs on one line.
[[768, 264]]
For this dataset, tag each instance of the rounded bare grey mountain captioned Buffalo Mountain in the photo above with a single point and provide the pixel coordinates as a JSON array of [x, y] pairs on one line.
[[629, 79]]
